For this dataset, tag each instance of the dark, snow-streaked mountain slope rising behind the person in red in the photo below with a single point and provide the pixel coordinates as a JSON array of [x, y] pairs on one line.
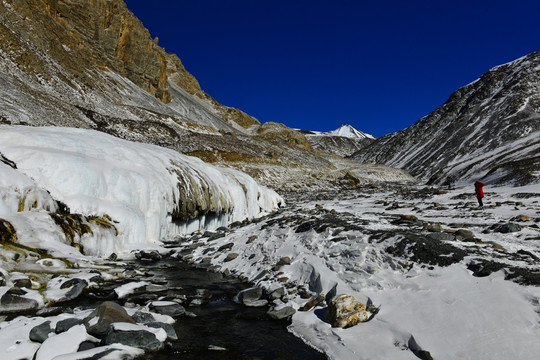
[[488, 129]]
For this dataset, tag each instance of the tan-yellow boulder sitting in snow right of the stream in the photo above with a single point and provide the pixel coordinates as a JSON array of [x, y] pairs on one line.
[[345, 311]]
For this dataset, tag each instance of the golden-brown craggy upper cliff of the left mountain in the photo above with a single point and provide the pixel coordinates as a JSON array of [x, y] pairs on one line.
[[87, 37]]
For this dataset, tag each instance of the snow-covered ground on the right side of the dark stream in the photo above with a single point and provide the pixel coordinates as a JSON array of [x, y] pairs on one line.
[[443, 310]]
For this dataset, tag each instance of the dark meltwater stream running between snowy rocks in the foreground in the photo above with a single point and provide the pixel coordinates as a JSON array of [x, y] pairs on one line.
[[245, 332]]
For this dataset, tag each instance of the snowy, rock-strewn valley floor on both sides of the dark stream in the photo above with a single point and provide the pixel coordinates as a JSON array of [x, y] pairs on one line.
[[439, 278]]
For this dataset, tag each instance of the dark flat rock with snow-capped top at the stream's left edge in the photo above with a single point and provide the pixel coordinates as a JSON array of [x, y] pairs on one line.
[[135, 336]]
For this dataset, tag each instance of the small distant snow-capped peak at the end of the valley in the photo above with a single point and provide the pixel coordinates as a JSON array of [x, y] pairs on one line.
[[344, 141]]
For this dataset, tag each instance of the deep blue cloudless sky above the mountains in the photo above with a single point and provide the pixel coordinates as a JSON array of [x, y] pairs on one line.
[[377, 65]]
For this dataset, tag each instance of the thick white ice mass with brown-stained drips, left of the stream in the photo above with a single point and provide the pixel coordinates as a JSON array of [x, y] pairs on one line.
[[142, 193]]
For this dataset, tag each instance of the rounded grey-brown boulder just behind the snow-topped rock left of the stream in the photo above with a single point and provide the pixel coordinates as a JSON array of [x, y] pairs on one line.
[[106, 314]]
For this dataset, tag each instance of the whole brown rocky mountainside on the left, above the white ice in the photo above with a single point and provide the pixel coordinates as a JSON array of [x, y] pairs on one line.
[[92, 64]]
